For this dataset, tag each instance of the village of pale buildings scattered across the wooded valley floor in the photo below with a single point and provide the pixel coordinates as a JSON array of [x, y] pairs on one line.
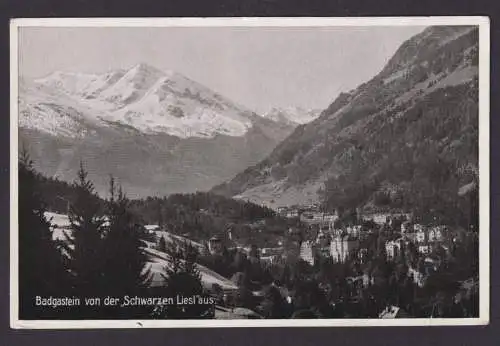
[[424, 250]]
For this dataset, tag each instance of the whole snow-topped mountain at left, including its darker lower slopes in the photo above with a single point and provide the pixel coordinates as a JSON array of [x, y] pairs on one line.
[[157, 132]]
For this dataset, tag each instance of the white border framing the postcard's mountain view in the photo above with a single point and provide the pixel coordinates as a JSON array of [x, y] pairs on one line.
[[484, 167]]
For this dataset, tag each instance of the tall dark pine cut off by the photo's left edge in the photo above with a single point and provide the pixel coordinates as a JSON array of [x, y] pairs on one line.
[[41, 266]]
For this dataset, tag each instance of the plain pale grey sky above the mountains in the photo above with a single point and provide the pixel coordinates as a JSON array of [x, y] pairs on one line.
[[258, 67]]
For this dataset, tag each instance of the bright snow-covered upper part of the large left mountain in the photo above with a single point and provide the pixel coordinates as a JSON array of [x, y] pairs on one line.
[[143, 97]]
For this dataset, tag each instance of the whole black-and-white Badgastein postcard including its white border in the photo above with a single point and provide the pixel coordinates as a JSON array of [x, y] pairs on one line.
[[219, 172]]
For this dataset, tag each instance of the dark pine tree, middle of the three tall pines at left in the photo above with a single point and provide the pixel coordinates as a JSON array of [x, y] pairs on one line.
[[86, 239]]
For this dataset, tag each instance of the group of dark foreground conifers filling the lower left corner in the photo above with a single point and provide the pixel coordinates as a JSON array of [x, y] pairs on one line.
[[102, 254]]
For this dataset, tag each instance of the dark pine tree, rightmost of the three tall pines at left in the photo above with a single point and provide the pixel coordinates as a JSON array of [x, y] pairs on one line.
[[125, 264]]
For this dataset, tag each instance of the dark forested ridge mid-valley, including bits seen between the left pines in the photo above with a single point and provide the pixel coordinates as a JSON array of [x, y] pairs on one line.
[[198, 216]]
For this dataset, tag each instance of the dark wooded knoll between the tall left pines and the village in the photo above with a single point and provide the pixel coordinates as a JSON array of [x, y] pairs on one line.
[[202, 215]]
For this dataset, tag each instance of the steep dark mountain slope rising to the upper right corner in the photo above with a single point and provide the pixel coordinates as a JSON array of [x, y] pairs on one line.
[[407, 136]]
